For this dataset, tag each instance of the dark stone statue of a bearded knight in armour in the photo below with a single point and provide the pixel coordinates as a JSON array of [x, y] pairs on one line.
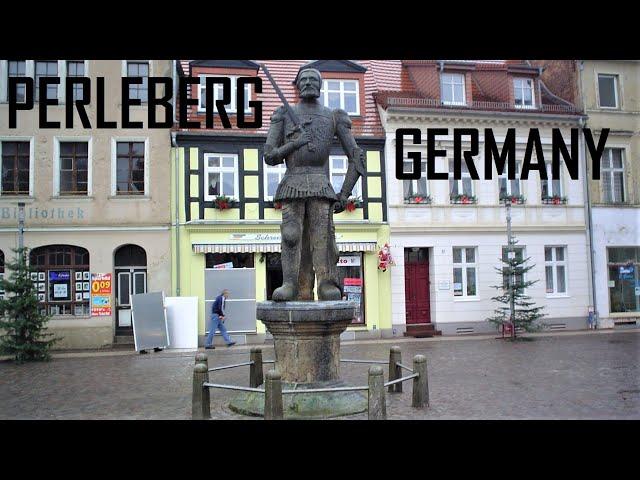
[[308, 200]]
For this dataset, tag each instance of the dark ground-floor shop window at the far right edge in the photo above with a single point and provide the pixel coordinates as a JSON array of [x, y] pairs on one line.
[[624, 279]]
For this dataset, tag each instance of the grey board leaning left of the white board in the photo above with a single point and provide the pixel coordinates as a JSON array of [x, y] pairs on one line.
[[149, 321]]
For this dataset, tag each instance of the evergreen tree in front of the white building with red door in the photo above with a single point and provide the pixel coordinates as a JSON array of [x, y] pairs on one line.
[[526, 314]]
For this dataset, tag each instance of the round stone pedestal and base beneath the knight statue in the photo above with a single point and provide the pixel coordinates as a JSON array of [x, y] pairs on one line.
[[307, 350]]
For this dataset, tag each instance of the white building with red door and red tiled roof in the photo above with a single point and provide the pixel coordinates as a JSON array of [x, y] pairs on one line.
[[448, 236]]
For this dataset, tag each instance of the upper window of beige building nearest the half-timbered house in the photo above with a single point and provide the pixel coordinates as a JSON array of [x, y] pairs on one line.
[[130, 175]]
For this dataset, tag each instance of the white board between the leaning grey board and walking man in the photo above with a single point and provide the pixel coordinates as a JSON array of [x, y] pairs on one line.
[[182, 321]]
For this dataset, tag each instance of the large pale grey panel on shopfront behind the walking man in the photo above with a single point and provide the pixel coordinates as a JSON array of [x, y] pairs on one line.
[[241, 305]]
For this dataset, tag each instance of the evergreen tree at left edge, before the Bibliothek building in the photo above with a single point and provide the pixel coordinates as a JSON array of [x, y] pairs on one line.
[[22, 326]]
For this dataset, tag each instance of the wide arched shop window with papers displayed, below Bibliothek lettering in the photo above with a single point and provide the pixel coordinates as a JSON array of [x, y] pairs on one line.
[[62, 279]]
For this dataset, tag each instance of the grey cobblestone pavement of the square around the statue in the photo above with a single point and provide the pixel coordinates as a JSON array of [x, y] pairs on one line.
[[583, 376]]
